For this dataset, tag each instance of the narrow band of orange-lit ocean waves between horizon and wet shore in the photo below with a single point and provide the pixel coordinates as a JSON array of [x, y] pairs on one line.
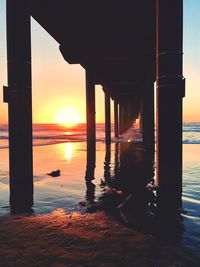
[[46, 134]]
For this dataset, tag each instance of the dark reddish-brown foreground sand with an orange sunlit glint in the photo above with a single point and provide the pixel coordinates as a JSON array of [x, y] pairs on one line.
[[58, 240]]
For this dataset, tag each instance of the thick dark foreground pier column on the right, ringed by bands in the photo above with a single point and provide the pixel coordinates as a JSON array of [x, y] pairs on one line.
[[170, 90]]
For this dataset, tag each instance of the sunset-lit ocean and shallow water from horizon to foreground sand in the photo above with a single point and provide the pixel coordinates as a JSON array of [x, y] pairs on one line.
[[64, 148]]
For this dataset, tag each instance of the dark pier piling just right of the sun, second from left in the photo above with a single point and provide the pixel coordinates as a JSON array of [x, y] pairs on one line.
[[91, 122]]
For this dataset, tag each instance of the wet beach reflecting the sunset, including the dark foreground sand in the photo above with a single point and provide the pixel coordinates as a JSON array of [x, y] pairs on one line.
[[61, 233]]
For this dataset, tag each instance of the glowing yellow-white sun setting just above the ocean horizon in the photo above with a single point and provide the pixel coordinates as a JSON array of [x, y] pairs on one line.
[[68, 116]]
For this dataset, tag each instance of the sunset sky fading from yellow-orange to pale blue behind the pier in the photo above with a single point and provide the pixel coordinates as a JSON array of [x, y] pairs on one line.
[[59, 88]]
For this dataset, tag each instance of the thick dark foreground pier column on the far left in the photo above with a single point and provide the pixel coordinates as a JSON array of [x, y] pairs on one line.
[[18, 96]]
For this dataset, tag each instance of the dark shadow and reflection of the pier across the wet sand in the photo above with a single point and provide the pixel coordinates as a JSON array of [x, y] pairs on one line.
[[129, 193]]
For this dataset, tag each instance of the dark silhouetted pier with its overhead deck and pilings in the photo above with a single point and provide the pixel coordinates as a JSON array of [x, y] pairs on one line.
[[125, 47]]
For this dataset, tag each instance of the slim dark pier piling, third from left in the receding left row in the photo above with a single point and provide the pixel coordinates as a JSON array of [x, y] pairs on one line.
[[107, 118]]
